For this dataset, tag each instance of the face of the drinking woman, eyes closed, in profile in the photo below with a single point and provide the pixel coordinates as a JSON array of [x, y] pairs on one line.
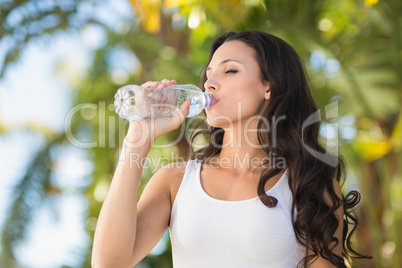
[[233, 78]]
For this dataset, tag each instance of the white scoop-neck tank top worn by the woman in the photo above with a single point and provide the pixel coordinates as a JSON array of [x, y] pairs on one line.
[[207, 232]]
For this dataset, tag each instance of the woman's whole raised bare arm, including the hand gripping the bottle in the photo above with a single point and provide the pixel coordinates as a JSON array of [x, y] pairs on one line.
[[125, 232]]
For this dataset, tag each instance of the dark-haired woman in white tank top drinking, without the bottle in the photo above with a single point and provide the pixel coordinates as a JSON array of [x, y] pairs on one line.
[[255, 196]]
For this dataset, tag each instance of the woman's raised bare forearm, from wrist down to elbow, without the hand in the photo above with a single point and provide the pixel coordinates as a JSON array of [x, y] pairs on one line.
[[116, 227]]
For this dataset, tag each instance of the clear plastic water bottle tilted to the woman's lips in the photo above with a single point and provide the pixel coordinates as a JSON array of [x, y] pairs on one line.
[[135, 102]]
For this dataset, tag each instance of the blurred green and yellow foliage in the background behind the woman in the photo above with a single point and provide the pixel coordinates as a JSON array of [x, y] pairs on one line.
[[353, 54]]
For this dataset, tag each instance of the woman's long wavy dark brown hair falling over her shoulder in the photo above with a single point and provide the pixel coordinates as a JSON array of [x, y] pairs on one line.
[[310, 178]]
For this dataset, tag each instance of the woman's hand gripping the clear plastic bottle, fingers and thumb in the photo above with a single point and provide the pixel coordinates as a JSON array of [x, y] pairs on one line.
[[149, 129]]
